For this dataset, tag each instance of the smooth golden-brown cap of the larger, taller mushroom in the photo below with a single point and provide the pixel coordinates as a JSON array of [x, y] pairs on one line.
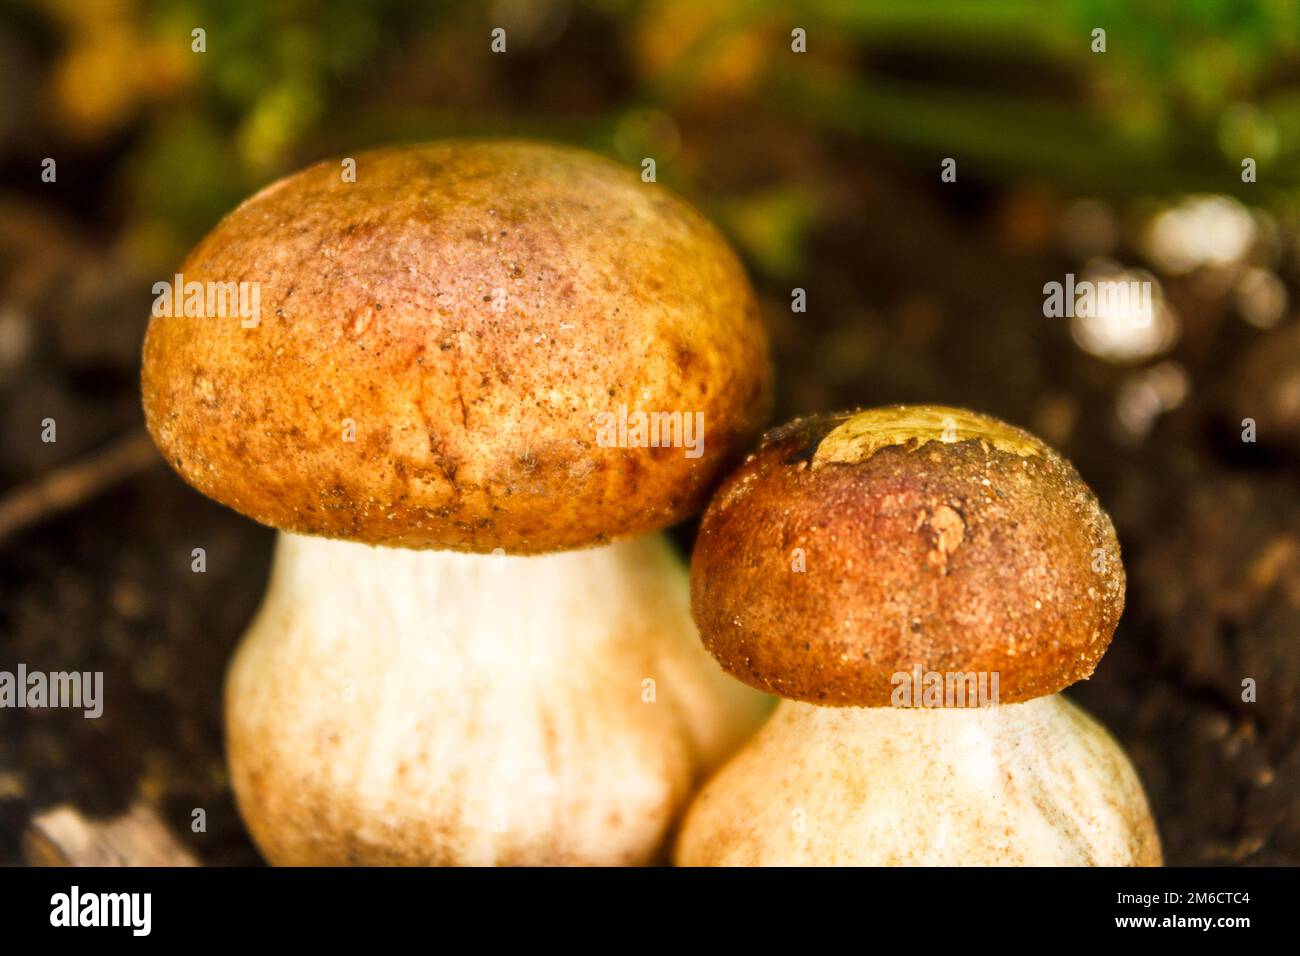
[[473, 309]]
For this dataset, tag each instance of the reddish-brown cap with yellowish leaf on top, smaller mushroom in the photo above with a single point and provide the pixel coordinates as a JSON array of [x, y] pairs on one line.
[[929, 537]]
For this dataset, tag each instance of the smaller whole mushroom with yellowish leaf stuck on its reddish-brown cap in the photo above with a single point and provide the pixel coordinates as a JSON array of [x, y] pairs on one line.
[[851, 556]]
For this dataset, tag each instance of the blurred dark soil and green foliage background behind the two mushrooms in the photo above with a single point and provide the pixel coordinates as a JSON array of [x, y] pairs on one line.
[[825, 170]]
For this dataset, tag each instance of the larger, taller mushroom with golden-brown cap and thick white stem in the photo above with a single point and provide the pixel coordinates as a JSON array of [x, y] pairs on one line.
[[476, 644]]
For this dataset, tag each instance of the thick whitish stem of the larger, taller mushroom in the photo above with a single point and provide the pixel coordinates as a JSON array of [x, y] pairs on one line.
[[402, 707]]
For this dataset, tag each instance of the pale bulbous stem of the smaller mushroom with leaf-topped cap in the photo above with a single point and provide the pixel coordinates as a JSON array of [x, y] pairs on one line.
[[1034, 784]]
